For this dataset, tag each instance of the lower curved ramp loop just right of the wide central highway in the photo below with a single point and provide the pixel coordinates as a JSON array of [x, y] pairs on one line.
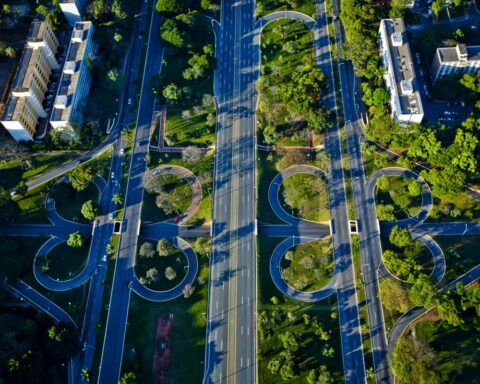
[[281, 284]]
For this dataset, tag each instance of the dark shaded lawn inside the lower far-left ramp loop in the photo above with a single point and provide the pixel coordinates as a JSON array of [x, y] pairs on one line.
[[66, 262]]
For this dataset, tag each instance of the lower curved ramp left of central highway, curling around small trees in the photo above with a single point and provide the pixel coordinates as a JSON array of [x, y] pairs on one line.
[[158, 296]]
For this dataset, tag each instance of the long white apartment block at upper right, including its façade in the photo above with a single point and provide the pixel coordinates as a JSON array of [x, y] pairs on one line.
[[405, 101]]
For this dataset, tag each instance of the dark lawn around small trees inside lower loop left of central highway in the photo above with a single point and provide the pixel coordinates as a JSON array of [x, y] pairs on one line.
[[176, 260]]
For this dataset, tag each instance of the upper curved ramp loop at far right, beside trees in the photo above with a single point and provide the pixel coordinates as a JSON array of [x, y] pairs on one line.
[[427, 200]]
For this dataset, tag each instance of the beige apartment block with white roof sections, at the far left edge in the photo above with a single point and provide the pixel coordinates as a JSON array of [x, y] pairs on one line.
[[24, 104]]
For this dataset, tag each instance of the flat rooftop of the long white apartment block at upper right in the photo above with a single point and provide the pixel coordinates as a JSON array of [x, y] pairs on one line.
[[403, 70]]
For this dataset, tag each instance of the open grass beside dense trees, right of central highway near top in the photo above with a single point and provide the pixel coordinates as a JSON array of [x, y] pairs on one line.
[[279, 61]]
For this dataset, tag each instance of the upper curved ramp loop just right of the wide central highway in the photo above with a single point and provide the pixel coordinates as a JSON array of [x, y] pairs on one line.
[[274, 190]]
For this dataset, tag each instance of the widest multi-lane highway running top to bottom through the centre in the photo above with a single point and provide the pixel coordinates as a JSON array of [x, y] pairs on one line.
[[231, 318]]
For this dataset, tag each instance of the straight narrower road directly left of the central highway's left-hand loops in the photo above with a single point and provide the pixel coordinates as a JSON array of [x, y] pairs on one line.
[[112, 352]]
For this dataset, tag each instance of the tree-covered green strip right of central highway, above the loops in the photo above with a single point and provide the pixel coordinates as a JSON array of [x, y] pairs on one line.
[[290, 110]]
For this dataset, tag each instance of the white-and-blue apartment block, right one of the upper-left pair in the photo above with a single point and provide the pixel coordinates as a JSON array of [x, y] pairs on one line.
[[75, 81]]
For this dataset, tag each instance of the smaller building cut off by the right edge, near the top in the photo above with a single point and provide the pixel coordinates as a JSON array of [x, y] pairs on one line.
[[453, 60]]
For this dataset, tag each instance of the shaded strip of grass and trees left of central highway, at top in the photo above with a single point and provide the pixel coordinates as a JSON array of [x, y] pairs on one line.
[[185, 84]]
